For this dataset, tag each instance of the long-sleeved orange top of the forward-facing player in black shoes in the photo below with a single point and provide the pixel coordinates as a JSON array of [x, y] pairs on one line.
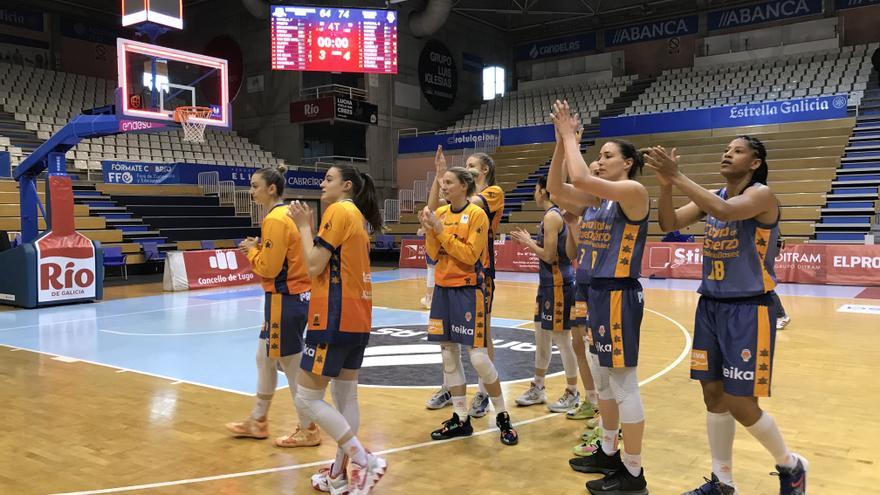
[[461, 249]]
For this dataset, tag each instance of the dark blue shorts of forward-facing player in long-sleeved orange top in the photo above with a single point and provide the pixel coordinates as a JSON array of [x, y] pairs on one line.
[[458, 315]]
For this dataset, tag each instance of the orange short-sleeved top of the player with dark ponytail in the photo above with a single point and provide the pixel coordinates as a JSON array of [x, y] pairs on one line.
[[340, 311]]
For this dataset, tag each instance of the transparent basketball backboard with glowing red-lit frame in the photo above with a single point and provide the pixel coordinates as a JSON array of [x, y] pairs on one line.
[[155, 80]]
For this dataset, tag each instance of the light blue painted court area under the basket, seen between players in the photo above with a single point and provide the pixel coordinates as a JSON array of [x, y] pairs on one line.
[[203, 337]]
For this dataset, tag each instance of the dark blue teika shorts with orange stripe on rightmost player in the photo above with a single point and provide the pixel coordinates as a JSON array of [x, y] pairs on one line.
[[734, 341]]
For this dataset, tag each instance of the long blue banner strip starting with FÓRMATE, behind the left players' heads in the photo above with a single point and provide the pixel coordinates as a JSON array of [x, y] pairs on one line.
[[121, 172]]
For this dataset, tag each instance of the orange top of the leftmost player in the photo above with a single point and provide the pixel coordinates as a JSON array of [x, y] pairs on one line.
[[278, 260]]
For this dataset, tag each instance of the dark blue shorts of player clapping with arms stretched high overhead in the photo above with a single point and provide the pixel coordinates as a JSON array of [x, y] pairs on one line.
[[616, 310]]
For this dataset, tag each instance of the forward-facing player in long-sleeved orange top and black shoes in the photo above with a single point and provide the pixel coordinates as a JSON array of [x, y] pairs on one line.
[[456, 237]]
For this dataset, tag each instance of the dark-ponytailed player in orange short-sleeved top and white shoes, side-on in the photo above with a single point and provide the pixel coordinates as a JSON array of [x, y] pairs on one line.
[[340, 315]]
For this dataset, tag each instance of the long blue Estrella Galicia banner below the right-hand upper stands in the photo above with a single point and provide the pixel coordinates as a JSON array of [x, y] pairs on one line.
[[760, 113]]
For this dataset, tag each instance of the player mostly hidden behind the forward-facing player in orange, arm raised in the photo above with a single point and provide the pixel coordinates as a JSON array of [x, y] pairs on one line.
[[490, 198]]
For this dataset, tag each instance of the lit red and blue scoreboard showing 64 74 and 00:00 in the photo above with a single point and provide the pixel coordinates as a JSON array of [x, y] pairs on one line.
[[334, 39]]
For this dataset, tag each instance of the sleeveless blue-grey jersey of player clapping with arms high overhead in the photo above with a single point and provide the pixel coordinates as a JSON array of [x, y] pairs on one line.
[[615, 243]]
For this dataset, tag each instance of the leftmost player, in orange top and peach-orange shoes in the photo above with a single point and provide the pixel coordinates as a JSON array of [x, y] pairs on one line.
[[278, 261]]
